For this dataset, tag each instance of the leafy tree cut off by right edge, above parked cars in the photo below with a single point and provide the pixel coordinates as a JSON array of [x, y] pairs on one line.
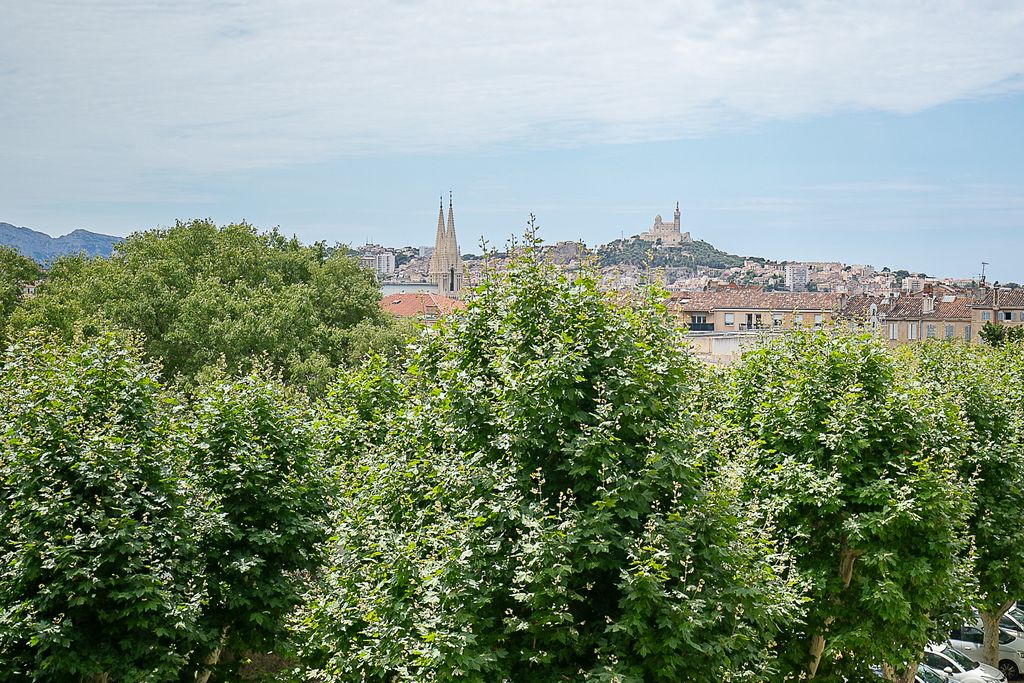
[[988, 388]]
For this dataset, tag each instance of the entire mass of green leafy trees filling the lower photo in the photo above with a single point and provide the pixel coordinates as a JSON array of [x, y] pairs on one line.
[[547, 488]]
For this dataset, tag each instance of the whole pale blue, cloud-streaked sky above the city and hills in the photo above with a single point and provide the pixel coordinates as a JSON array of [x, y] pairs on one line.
[[889, 134]]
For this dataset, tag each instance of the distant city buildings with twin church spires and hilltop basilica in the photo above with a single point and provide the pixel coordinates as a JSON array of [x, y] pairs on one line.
[[724, 301]]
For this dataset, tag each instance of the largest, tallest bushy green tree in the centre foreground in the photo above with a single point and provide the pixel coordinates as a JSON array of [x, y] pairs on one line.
[[539, 496]]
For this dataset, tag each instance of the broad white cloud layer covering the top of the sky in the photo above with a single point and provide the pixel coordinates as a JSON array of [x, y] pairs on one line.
[[153, 87]]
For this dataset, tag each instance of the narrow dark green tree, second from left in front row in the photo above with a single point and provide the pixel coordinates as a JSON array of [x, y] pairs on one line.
[[255, 477]]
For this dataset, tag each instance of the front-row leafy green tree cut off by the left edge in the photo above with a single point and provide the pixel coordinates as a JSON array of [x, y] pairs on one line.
[[97, 568]]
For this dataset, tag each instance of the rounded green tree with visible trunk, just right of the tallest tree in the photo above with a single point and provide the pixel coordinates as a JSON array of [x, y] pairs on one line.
[[859, 463]]
